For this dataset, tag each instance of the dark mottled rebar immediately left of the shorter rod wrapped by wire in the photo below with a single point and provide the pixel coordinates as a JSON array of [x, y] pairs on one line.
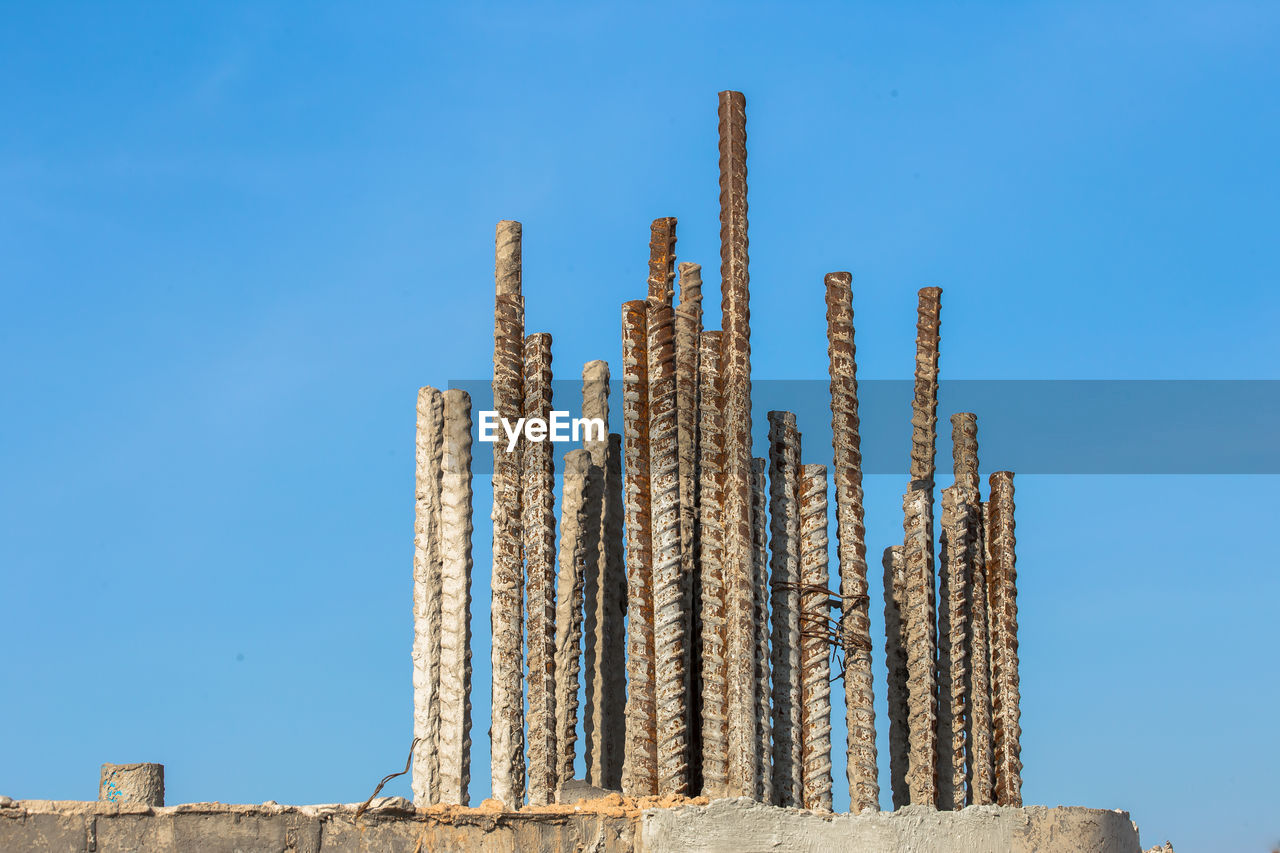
[[785, 587]]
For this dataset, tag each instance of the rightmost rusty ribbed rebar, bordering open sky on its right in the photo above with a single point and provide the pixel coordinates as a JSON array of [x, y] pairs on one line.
[[1003, 583]]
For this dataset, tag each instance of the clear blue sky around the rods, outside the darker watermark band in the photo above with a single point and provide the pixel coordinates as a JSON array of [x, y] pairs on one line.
[[235, 240]]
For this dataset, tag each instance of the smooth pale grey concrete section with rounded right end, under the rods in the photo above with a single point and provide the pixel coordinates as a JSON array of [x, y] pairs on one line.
[[743, 827]]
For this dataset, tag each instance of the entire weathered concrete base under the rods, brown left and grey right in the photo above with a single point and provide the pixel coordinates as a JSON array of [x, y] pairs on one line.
[[609, 825]]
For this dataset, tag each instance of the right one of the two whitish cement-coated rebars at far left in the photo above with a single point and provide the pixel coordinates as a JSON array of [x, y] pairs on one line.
[[456, 528]]
